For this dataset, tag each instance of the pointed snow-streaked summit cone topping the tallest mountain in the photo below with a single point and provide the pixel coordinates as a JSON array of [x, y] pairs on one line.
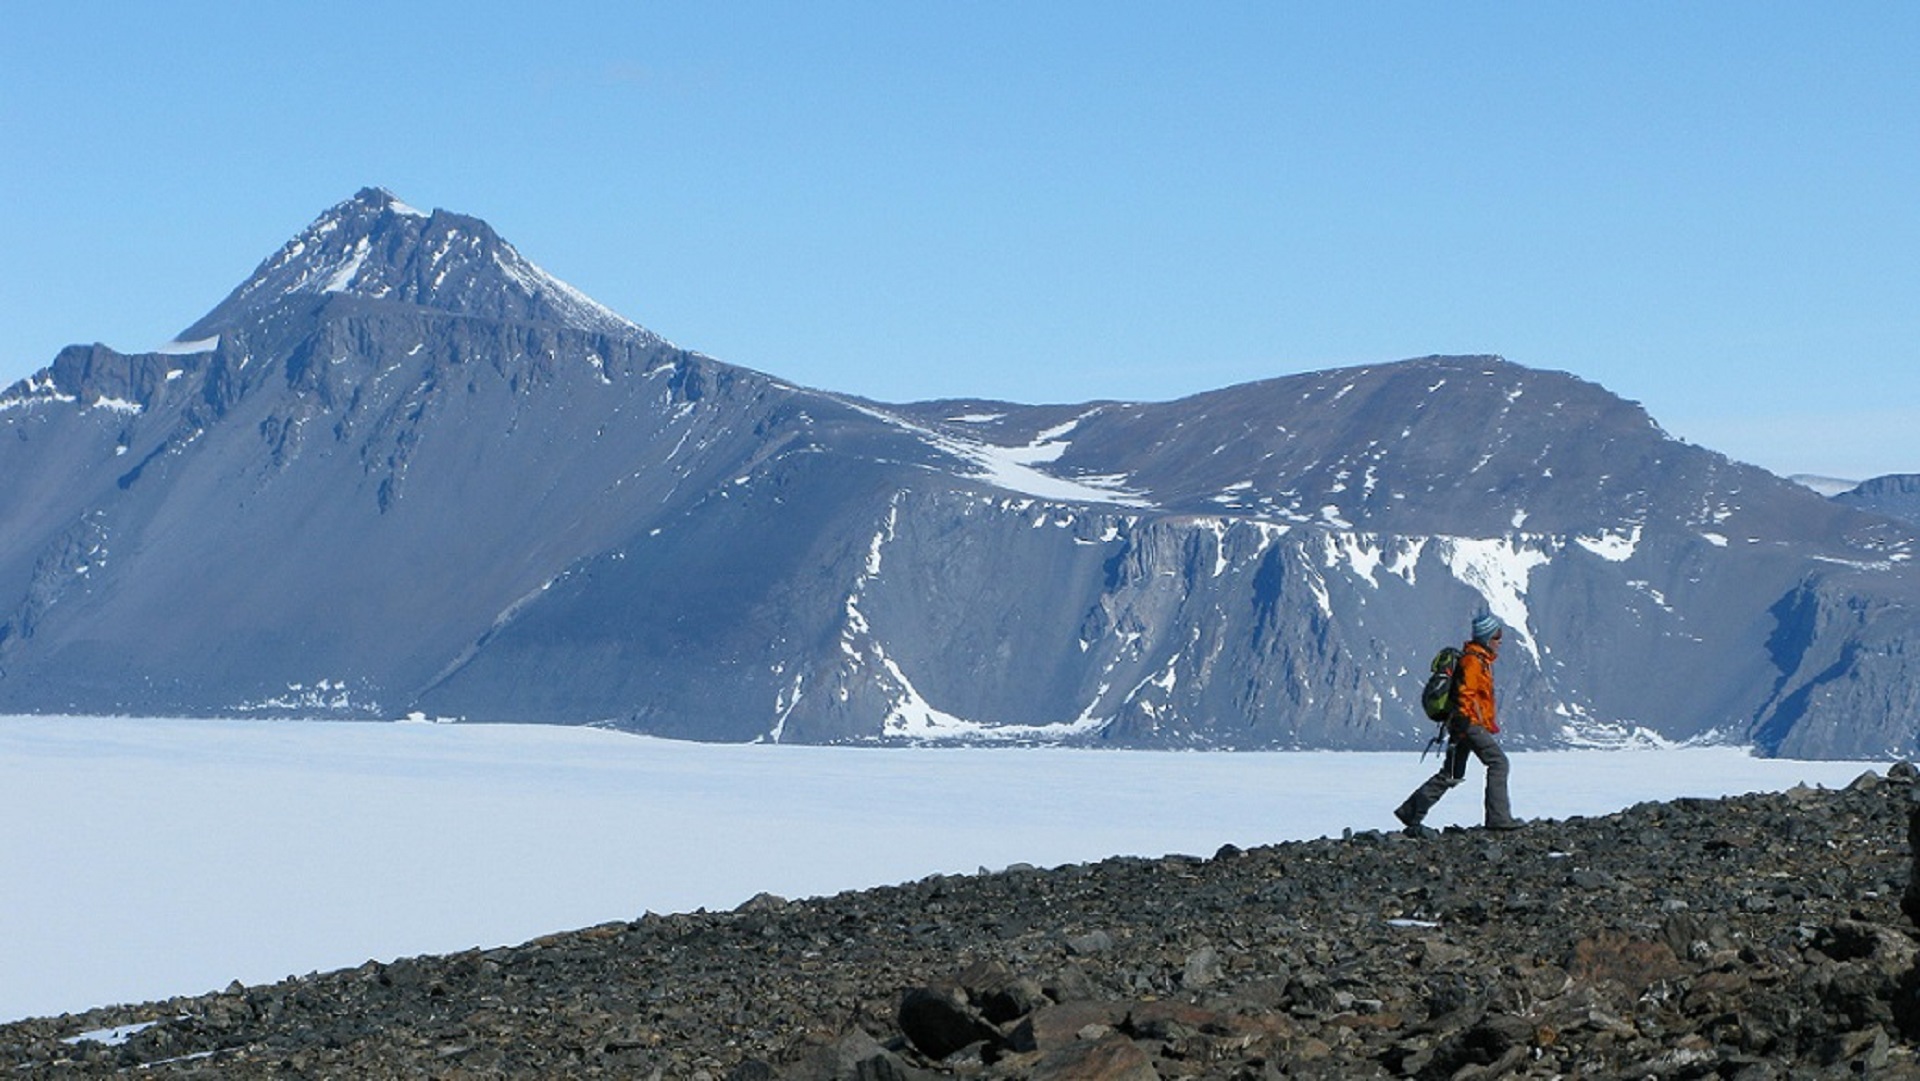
[[377, 247]]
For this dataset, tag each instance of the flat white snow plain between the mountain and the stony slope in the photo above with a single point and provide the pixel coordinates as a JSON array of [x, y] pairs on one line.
[[145, 859]]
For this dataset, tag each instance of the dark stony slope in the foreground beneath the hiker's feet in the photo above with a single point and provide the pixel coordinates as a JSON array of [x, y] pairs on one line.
[[1746, 938]]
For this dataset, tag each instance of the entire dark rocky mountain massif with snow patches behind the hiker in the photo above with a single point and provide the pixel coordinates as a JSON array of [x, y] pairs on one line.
[[402, 469]]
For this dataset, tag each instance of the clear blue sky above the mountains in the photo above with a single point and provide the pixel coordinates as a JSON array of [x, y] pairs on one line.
[[1708, 208]]
